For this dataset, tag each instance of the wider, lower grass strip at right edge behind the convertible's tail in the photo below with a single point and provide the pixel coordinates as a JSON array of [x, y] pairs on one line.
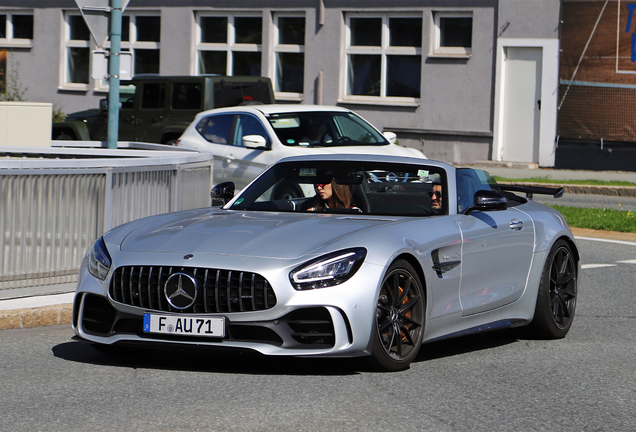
[[599, 219]]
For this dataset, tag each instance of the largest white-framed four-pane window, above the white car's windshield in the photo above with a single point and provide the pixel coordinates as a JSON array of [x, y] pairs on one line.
[[384, 57]]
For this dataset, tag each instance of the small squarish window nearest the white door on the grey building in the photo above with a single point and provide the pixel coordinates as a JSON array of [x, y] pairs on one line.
[[453, 34]]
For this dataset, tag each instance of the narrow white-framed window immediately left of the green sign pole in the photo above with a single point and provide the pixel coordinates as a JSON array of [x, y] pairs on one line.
[[77, 51]]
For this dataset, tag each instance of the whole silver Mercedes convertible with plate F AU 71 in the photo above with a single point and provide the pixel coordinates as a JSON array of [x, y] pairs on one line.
[[414, 251]]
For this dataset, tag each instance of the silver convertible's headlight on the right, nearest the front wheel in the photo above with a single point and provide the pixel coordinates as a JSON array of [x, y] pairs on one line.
[[328, 270]]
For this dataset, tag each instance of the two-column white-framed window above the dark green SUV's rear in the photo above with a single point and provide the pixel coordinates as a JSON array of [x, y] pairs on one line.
[[229, 44]]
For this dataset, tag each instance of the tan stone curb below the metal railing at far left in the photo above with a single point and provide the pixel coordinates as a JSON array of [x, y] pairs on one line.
[[36, 317]]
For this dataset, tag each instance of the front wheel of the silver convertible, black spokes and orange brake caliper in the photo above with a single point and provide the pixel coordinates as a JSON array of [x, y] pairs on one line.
[[400, 318]]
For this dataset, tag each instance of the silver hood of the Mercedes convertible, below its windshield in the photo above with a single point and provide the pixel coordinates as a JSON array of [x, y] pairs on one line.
[[247, 234]]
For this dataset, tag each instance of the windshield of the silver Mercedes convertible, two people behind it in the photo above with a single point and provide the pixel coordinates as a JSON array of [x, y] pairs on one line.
[[377, 188]]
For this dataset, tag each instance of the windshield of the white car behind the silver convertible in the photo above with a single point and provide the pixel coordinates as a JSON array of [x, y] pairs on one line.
[[321, 129]]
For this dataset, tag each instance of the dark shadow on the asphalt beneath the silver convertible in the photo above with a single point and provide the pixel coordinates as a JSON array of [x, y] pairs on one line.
[[204, 360]]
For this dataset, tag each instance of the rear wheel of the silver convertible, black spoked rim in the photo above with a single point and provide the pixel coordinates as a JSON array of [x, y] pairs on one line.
[[556, 299]]
